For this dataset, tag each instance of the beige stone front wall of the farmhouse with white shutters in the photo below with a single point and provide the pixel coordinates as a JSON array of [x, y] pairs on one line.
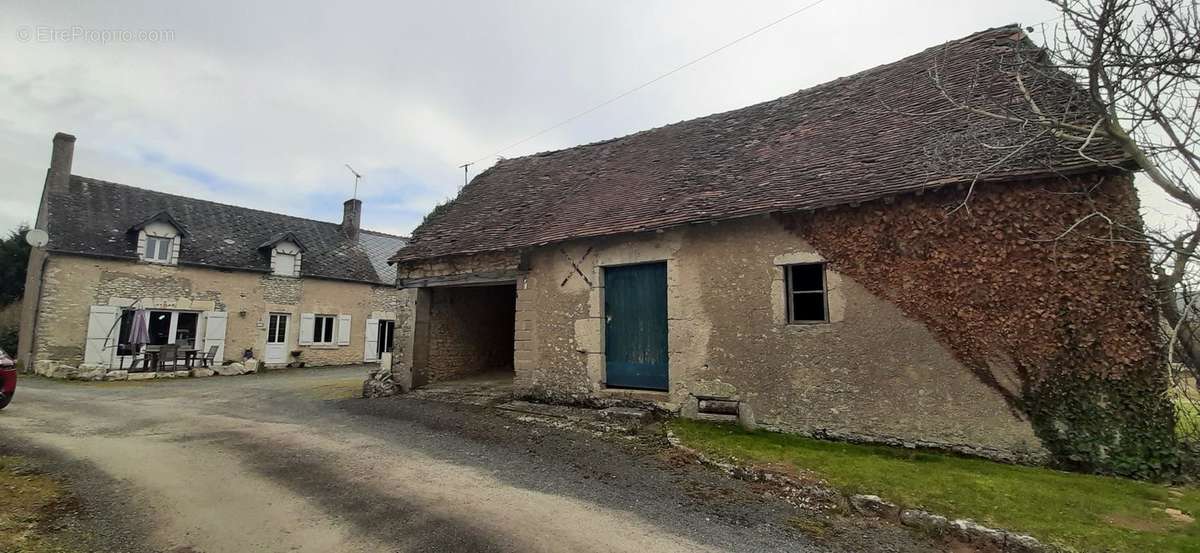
[[73, 285]]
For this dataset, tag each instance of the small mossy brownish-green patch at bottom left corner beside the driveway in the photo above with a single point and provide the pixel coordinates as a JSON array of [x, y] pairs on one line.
[[32, 509]]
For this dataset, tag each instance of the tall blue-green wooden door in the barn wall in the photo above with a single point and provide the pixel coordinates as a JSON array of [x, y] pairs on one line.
[[637, 327]]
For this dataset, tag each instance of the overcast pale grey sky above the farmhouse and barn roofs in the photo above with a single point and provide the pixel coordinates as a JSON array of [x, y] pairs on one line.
[[262, 105]]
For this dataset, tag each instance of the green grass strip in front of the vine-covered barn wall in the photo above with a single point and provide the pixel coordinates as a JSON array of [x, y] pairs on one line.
[[1089, 514]]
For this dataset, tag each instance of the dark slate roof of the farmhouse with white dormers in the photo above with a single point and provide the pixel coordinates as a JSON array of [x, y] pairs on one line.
[[95, 218]]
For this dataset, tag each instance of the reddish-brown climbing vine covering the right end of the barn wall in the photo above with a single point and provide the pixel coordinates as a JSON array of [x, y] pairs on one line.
[[1070, 317]]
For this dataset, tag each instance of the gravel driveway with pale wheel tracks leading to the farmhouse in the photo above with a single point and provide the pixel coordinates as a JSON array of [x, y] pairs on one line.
[[291, 462]]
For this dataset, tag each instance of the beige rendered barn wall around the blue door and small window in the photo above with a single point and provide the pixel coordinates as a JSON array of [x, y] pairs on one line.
[[872, 374]]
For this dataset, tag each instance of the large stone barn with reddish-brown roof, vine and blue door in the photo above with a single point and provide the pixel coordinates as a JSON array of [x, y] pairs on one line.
[[802, 266]]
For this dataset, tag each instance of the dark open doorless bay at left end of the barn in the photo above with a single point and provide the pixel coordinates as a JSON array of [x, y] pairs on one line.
[[466, 334]]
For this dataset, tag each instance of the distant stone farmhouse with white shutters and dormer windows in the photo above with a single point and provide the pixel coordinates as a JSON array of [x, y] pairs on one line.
[[253, 285]]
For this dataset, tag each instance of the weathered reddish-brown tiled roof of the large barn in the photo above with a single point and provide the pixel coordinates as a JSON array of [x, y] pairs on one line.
[[853, 140]]
